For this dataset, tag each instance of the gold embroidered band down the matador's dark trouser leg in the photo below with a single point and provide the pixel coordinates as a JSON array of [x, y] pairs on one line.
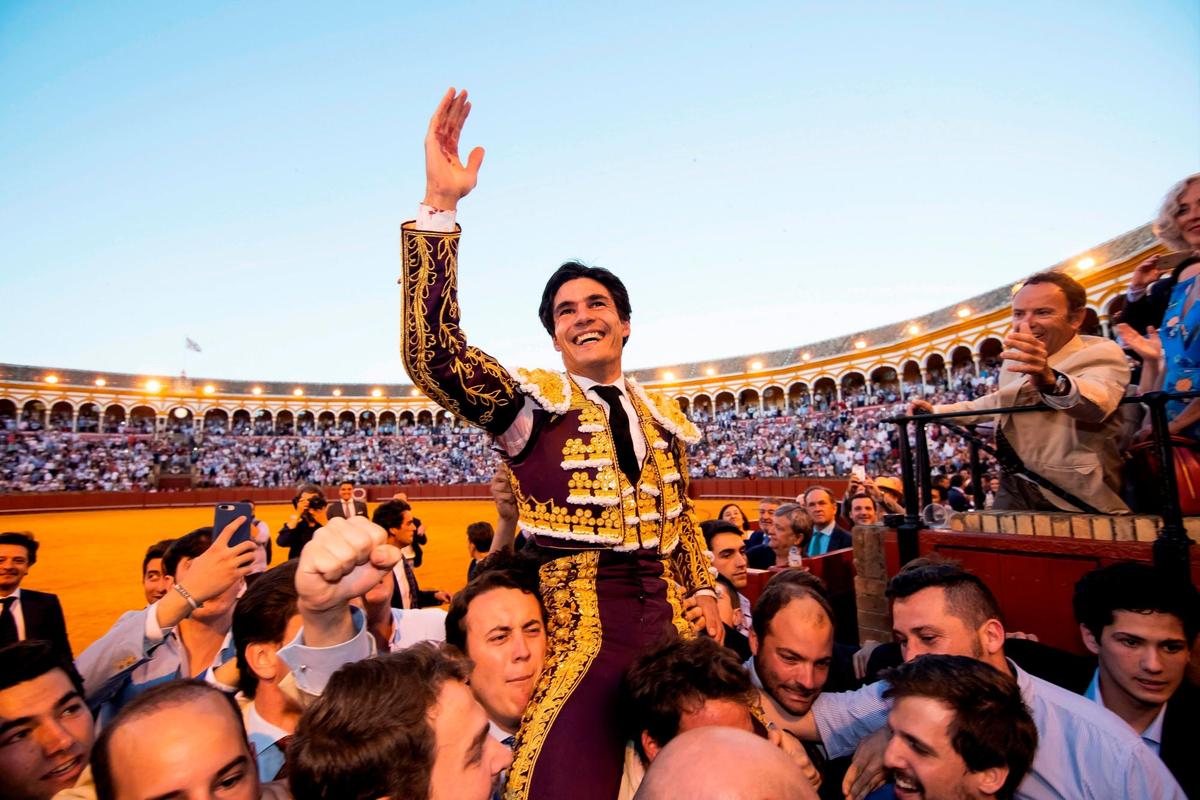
[[573, 615]]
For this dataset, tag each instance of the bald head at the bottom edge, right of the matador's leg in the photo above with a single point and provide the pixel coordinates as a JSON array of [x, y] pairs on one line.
[[697, 765]]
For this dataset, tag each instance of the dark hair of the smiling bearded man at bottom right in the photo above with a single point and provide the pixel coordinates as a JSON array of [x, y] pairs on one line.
[[992, 726]]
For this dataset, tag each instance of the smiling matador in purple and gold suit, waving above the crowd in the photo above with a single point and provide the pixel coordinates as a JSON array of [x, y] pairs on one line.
[[599, 476]]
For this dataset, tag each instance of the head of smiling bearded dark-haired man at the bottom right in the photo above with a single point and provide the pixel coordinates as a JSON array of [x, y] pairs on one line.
[[961, 731]]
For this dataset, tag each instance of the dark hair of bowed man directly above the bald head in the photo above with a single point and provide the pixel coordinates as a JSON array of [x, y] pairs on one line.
[[676, 678]]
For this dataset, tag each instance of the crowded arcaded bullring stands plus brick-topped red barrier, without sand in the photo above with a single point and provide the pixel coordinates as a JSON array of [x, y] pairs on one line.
[[773, 423]]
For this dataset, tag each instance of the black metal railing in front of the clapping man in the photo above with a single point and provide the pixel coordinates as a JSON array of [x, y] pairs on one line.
[[1171, 550]]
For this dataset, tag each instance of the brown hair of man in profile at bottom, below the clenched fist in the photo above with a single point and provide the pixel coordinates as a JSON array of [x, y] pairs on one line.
[[369, 735]]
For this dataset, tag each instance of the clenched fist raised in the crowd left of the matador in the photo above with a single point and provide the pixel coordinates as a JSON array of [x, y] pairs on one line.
[[345, 560]]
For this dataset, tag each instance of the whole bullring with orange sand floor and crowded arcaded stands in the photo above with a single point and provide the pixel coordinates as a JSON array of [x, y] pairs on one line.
[[185, 424]]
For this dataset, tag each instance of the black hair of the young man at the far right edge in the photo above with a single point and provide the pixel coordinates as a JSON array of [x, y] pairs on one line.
[[1133, 587]]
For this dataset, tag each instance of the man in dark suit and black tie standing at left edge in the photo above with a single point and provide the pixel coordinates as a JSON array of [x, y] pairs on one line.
[[27, 615]]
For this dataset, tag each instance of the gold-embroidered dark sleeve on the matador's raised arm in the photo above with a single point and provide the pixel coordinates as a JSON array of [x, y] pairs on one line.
[[424, 255]]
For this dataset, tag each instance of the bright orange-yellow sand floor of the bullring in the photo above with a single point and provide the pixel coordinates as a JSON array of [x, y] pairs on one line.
[[93, 560]]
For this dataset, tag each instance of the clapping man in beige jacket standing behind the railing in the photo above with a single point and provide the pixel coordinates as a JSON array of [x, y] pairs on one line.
[[1083, 378]]
